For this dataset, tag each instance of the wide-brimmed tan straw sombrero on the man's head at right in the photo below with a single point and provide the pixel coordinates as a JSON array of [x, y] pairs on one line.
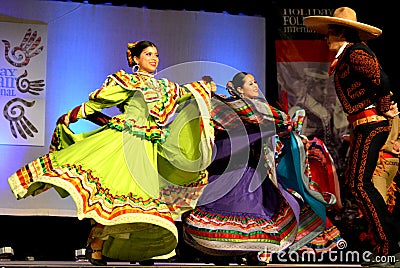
[[343, 16]]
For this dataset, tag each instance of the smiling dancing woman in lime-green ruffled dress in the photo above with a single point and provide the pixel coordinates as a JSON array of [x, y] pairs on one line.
[[140, 171]]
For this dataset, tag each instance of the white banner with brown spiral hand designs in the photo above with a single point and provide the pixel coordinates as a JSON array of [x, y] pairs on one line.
[[22, 82]]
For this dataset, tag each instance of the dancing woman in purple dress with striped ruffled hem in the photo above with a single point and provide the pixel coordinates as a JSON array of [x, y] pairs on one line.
[[246, 207]]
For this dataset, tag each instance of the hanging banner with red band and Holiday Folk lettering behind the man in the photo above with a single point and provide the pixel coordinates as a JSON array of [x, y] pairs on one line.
[[303, 60]]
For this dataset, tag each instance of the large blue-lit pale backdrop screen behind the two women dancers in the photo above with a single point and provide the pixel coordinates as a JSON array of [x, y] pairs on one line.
[[87, 42]]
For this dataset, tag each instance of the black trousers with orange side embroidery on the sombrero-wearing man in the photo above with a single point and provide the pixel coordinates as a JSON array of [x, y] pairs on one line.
[[367, 140]]
